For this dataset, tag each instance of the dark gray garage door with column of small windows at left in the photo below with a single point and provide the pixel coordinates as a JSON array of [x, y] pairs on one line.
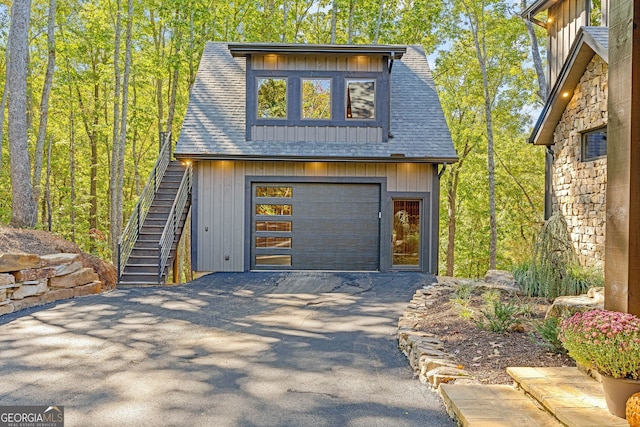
[[303, 226]]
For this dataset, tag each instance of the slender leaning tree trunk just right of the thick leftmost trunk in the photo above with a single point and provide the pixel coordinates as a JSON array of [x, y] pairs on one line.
[[44, 102]]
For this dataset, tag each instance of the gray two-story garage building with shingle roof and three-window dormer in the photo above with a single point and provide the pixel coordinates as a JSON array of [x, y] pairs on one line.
[[314, 157]]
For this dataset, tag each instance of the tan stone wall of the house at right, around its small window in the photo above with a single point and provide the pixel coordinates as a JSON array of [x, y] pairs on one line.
[[580, 187]]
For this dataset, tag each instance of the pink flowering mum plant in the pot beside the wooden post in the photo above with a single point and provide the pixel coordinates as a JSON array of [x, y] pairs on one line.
[[607, 341]]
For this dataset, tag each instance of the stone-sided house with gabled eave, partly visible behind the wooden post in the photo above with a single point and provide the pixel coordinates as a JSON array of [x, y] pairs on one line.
[[573, 122]]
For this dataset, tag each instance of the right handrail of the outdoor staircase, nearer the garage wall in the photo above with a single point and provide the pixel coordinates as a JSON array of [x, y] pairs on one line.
[[173, 221]]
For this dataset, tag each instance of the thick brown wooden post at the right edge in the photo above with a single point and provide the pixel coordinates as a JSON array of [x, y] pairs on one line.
[[622, 264]]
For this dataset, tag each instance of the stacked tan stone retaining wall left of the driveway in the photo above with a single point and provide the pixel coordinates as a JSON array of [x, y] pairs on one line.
[[28, 280]]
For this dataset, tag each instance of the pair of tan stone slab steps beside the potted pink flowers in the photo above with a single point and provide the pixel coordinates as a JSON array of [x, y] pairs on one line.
[[539, 397]]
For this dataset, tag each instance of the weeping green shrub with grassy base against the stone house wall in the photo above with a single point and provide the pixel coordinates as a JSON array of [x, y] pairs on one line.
[[555, 270]]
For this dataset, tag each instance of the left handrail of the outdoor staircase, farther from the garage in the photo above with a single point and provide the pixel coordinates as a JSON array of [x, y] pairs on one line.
[[132, 230]]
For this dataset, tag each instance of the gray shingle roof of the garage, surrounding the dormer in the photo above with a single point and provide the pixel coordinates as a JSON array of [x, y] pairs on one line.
[[214, 124]]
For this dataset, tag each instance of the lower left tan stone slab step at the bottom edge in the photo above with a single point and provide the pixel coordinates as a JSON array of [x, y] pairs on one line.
[[475, 405]]
